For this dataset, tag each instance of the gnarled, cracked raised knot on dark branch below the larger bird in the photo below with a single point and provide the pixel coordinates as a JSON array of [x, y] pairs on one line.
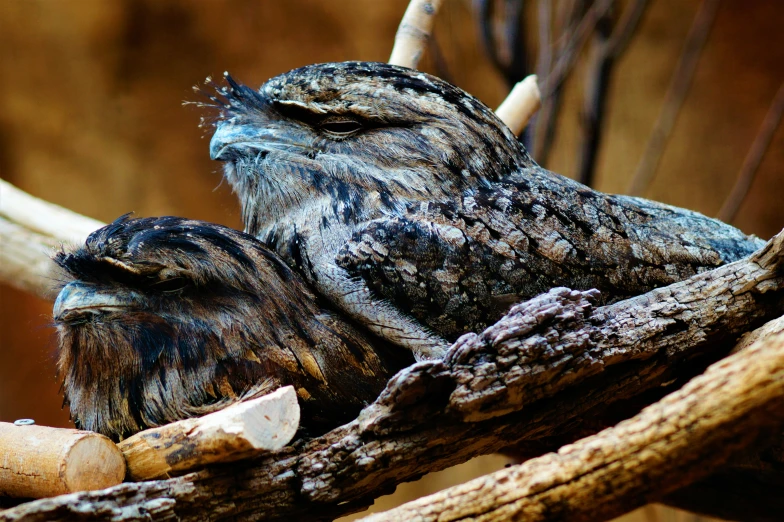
[[534, 348]]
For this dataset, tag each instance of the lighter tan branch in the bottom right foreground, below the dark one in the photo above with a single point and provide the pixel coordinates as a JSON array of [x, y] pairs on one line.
[[679, 439]]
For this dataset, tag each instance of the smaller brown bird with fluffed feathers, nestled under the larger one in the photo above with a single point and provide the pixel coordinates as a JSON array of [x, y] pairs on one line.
[[166, 318]]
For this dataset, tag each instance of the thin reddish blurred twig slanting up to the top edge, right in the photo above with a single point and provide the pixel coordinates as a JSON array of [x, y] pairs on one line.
[[673, 99]]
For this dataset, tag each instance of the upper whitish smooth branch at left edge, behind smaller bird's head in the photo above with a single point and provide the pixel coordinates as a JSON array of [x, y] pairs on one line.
[[43, 217]]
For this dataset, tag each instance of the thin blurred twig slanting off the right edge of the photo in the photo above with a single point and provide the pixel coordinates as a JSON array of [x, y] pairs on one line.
[[753, 159]]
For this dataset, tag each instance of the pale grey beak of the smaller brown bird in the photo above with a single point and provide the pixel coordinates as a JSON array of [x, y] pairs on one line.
[[77, 299]]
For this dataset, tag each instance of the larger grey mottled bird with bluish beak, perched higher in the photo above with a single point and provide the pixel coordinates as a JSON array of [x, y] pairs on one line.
[[408, 204]]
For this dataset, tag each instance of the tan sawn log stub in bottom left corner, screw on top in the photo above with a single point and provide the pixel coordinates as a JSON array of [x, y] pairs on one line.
[[39, 461]]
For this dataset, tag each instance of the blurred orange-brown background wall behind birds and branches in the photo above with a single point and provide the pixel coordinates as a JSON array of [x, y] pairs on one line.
[[91, 118]]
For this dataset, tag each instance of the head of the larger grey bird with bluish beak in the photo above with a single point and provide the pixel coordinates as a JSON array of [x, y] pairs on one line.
[[356, 132]]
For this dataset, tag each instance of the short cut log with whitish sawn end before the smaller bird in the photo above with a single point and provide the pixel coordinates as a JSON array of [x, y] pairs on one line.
[[242, 430]]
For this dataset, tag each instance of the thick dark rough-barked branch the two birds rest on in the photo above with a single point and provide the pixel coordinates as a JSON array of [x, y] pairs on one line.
[[550, 363]]
